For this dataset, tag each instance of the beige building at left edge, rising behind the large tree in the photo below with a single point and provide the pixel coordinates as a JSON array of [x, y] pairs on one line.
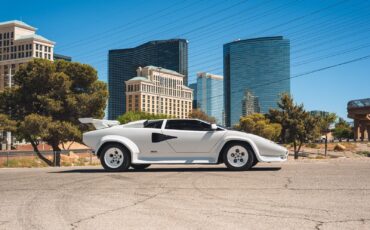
[[19, 44]]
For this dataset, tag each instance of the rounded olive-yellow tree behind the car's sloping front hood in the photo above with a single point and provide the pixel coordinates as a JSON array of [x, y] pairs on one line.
[[258, 124]]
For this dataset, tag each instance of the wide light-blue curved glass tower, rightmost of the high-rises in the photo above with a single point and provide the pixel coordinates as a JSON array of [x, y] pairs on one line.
[[261, 65]]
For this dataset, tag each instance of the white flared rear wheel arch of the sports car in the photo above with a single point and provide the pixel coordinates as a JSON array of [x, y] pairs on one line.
[[125, 142]]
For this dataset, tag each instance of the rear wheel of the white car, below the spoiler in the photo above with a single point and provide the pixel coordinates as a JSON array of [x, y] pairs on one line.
[[115, 150]]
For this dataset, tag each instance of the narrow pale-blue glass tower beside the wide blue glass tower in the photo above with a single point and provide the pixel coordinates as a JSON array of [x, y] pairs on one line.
[[210, 95]]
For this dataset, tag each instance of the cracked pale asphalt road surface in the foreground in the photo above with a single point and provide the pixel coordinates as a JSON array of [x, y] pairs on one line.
[[317, 194]]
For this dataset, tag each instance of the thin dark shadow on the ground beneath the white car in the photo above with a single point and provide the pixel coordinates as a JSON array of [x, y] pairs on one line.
[[149, 170]]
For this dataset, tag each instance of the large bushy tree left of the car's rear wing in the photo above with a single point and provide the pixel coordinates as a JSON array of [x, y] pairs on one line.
[[48, 99]]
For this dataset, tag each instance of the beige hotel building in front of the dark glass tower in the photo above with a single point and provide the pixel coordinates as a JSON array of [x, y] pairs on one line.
[[157, 90]]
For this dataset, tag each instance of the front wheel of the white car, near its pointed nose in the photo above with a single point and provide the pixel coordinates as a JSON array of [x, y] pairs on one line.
[[242, 158]]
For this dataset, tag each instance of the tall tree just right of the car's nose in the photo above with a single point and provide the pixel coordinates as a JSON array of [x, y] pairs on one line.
[[298, 126]]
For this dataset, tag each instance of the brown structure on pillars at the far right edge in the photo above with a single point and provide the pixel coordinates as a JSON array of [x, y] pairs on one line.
[[359, 111]]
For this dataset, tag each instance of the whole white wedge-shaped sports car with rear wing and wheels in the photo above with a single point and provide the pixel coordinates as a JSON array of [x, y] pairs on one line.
[[177, 141]]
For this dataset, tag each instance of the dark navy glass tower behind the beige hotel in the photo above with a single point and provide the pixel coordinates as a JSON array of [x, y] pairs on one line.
[[122, 64]]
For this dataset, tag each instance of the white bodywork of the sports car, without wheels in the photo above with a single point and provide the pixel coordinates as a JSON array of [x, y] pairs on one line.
[[173, 146]]
